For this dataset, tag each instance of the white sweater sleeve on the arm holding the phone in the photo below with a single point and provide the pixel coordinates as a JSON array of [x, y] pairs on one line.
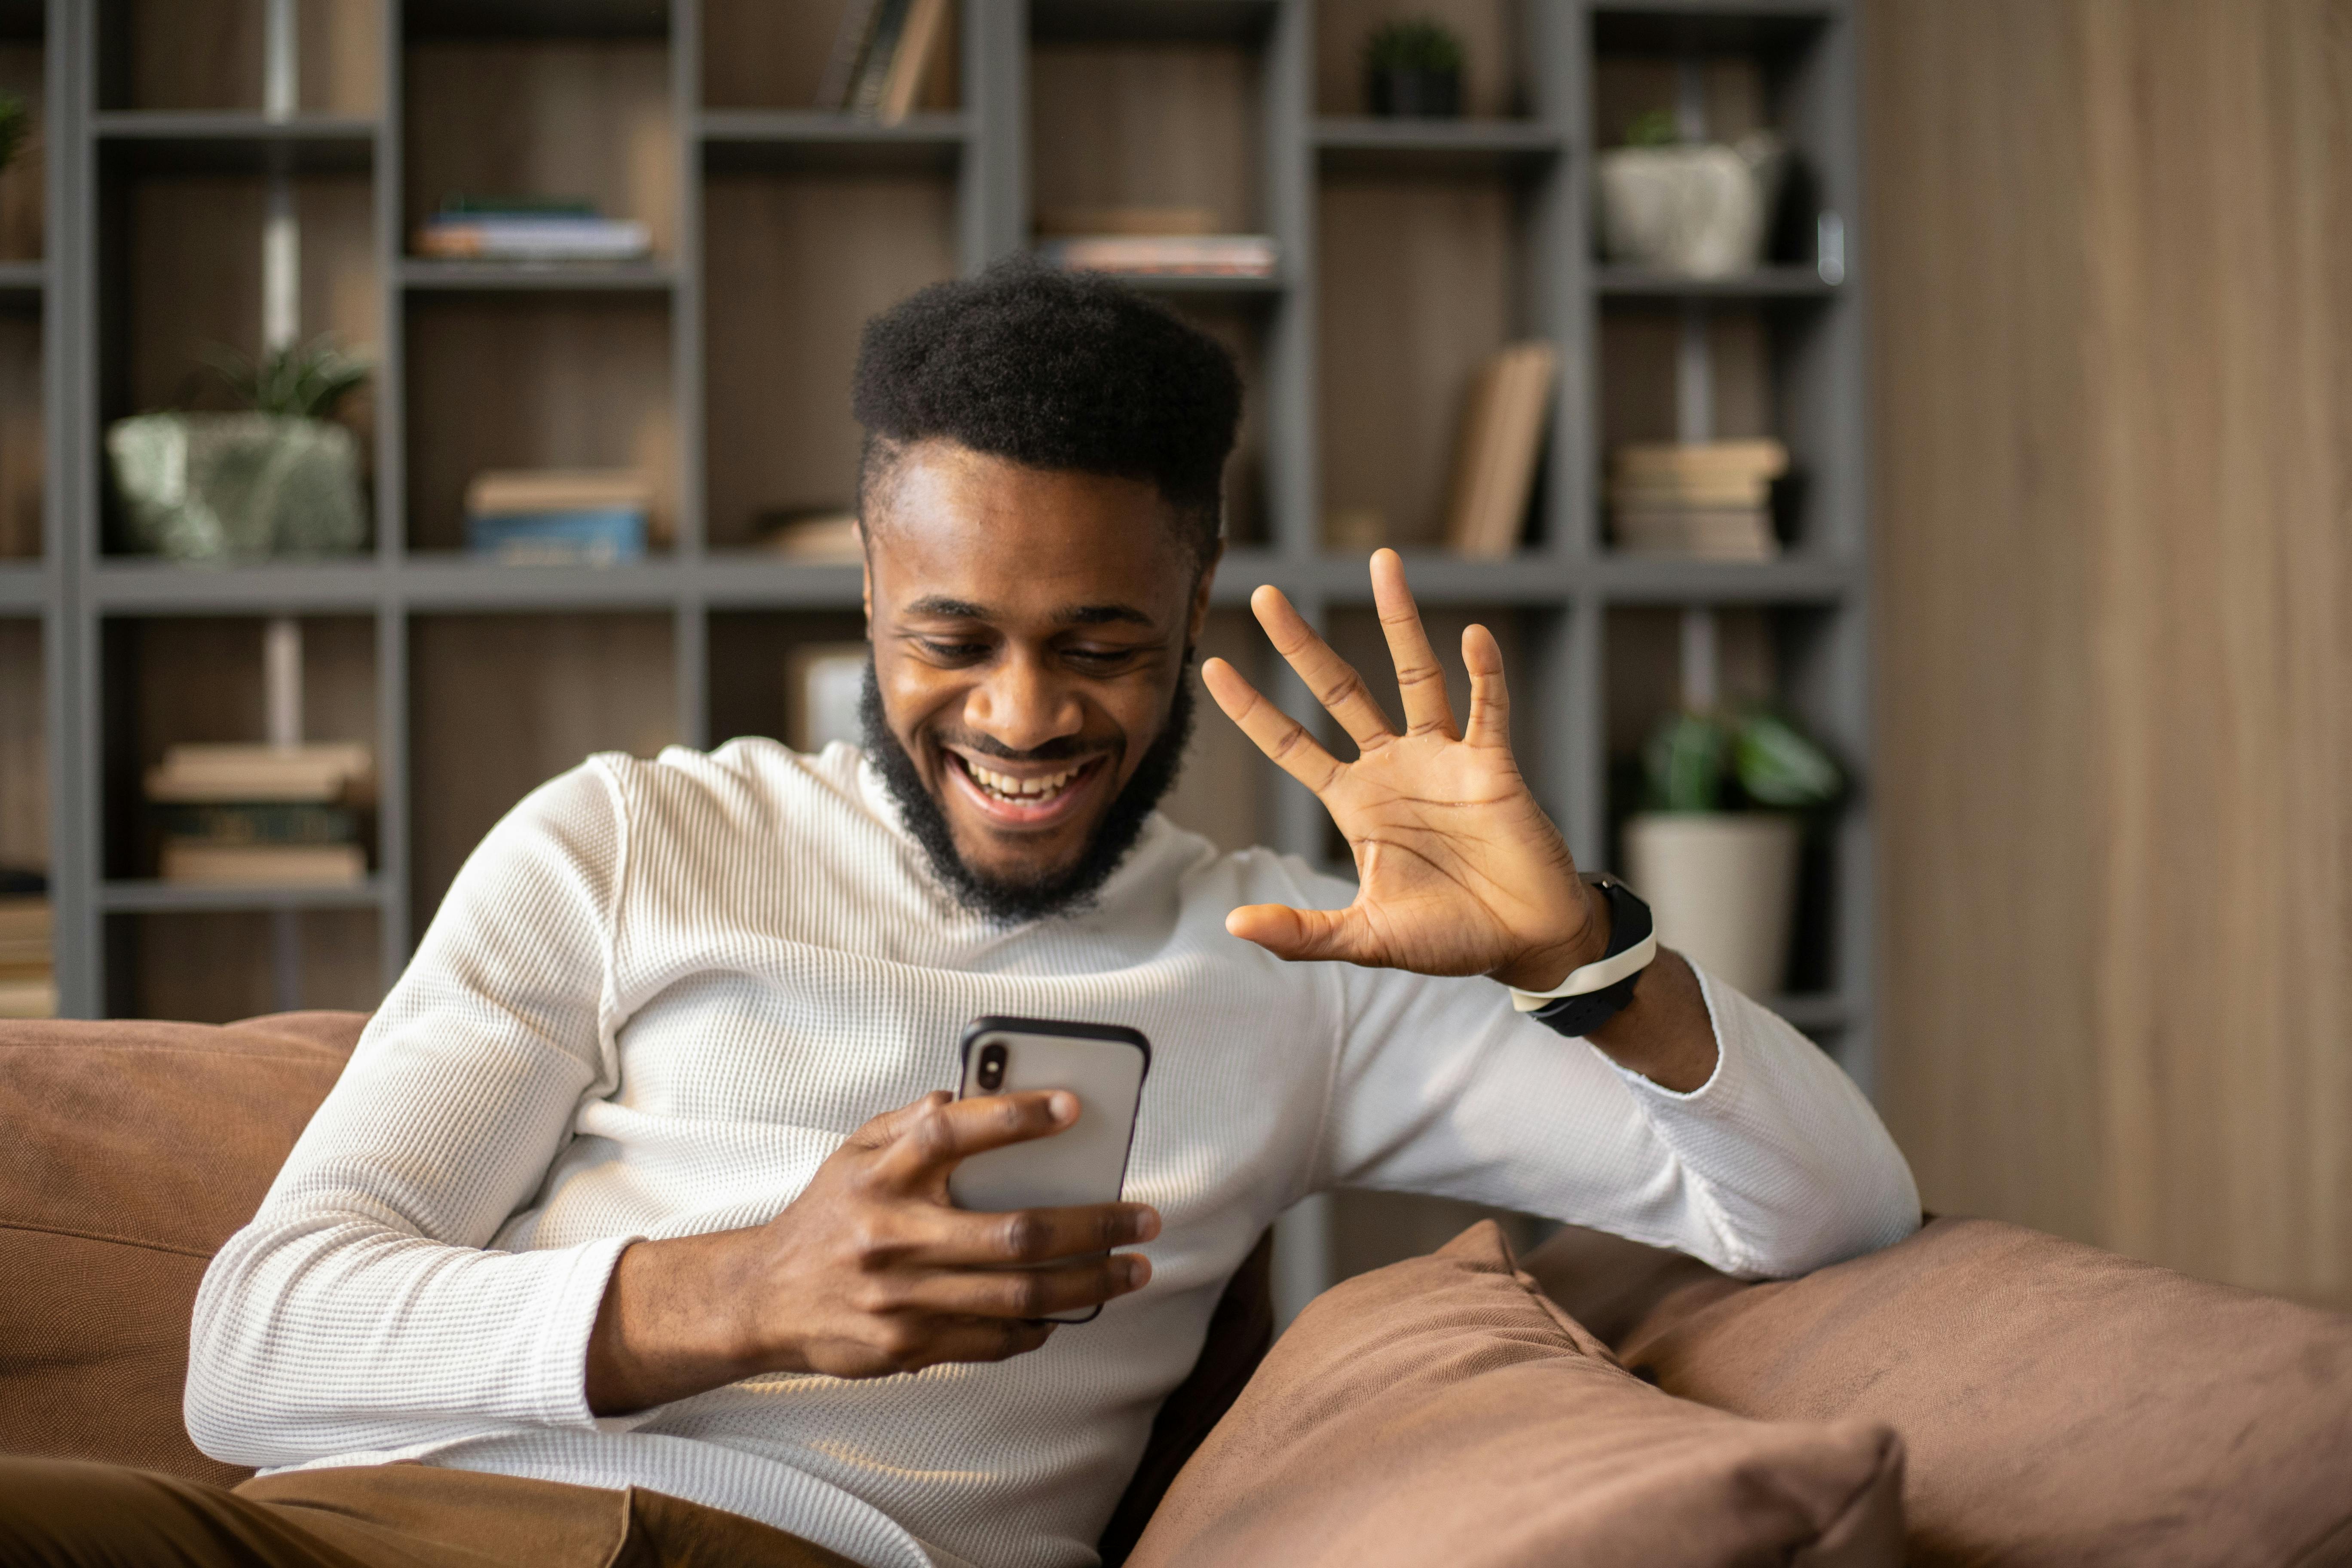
[[359, 1311]]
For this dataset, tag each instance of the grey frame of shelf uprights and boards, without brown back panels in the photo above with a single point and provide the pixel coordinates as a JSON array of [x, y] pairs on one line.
[[1565, 587]]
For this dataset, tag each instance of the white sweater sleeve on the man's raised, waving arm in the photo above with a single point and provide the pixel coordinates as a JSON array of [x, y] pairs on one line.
[[1772, 1167]]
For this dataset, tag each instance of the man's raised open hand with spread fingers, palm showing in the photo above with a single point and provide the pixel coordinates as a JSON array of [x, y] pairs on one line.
[[1459, 869]]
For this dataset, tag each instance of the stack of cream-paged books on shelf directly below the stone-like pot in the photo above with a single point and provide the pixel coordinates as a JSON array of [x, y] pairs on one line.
[[1697, 500]]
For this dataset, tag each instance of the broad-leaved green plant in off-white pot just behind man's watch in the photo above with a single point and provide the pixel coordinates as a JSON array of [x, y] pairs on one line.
[[1716, 850]]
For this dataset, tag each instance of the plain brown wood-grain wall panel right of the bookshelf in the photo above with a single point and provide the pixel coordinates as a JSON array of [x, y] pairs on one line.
[[2116, 619]]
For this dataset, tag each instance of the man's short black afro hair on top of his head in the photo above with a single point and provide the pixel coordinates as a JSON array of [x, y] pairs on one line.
[[1053, 370]]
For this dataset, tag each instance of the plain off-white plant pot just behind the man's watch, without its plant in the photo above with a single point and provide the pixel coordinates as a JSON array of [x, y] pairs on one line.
[[1723, 890]]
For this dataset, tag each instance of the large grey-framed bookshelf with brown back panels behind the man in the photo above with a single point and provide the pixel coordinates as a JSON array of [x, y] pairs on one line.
[[1410, 250]]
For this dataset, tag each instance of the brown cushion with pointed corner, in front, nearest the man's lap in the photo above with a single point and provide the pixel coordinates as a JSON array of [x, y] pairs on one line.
[[1443, 1409]]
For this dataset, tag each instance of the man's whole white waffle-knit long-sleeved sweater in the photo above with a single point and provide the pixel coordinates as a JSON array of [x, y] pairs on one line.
[[664, 991]]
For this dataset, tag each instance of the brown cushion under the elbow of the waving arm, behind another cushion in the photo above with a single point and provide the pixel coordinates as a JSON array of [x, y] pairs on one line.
[[2062, 1405]]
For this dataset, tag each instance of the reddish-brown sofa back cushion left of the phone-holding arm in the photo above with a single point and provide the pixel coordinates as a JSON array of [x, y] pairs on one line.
[[133, 1153]]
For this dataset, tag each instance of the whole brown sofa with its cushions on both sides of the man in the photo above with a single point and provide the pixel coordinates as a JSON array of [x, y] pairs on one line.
[[1977, 1395]]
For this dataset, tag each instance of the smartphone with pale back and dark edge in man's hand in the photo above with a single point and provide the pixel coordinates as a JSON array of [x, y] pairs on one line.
[[1104, 1066]]
